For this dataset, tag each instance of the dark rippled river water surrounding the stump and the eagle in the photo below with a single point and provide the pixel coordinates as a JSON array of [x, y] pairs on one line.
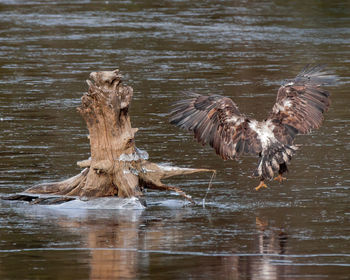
[[242, 49]]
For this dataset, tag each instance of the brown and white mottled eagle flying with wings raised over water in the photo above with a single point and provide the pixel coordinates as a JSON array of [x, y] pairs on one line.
[[216, 120]]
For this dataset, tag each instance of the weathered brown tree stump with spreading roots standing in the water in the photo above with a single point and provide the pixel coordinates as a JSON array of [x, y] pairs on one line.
[[116, 166]]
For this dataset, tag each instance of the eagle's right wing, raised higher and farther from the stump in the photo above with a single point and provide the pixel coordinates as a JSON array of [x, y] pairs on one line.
[[300, 103]]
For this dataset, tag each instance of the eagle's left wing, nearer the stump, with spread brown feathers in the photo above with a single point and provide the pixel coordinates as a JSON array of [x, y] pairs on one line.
[[216, 120]]
